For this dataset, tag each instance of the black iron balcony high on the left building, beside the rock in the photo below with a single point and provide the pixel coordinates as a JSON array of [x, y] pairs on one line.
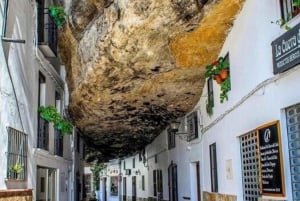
[[47, 32]]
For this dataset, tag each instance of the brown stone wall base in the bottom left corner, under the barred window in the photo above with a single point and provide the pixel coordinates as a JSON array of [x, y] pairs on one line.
[[16, 195]]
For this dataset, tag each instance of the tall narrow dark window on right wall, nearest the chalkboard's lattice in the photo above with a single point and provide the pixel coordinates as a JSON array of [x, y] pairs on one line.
[[213, 168]]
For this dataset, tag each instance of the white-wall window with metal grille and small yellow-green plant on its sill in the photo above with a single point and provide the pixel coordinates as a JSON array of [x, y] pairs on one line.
[[16, 154]]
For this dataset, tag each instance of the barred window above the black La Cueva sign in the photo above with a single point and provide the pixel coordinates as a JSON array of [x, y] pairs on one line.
[[288, 10]]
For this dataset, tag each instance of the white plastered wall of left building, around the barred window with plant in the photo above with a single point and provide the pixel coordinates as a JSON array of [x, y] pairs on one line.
[[25, 61]]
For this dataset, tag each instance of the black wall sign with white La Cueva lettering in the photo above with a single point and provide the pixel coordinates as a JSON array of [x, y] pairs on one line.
[[286, 50]]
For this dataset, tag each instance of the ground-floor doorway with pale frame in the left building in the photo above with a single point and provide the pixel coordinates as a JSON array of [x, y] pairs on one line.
[[46, 184]]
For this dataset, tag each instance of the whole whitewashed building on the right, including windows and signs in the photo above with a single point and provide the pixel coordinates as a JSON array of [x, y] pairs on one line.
[[248, 148]]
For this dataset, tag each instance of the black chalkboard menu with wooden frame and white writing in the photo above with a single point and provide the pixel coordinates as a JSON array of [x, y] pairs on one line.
[[271, 170]]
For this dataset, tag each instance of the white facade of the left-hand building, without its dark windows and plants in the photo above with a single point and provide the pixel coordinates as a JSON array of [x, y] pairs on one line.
[[21, 65]]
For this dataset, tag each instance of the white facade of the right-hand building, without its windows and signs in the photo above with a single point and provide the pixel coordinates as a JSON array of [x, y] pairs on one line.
[[257, 97]]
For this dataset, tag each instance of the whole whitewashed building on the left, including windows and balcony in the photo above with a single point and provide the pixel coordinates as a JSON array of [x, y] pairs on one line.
[[32, 76]]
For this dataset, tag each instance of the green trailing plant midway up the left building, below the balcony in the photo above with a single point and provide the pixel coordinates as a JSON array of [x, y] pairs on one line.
[[51, 114]]
